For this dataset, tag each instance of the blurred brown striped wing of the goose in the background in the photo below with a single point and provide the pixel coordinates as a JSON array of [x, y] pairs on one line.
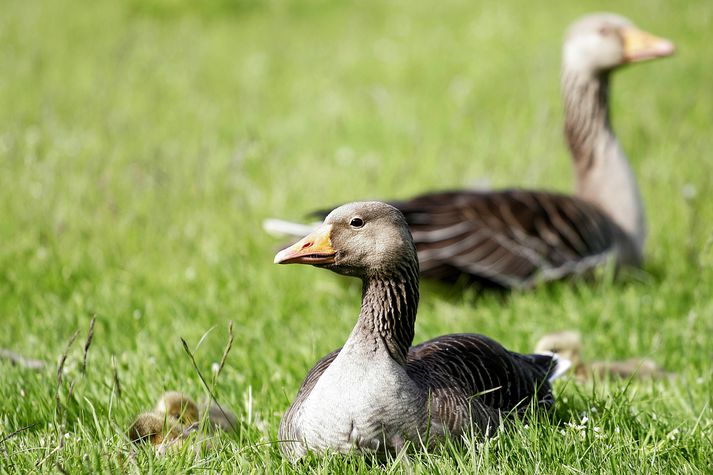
[[509, 238]]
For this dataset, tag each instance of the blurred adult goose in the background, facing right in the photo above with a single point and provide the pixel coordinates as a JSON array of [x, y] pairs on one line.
[[515, 238]]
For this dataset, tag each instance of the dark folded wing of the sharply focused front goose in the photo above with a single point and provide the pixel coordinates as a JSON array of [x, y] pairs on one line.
[[472, 376]]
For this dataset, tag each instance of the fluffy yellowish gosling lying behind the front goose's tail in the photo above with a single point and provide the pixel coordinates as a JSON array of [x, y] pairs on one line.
[[568, 344]]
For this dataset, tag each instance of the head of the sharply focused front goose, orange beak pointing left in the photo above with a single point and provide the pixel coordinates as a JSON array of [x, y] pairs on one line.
[[358, 239]]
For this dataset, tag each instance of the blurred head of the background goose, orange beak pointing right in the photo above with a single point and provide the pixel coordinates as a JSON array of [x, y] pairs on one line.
[[601, 42]]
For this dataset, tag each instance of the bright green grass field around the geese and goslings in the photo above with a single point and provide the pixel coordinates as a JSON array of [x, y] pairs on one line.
[[142, 143]]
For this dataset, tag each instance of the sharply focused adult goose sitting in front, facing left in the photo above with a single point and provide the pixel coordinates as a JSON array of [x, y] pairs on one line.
[[377, 392]]
